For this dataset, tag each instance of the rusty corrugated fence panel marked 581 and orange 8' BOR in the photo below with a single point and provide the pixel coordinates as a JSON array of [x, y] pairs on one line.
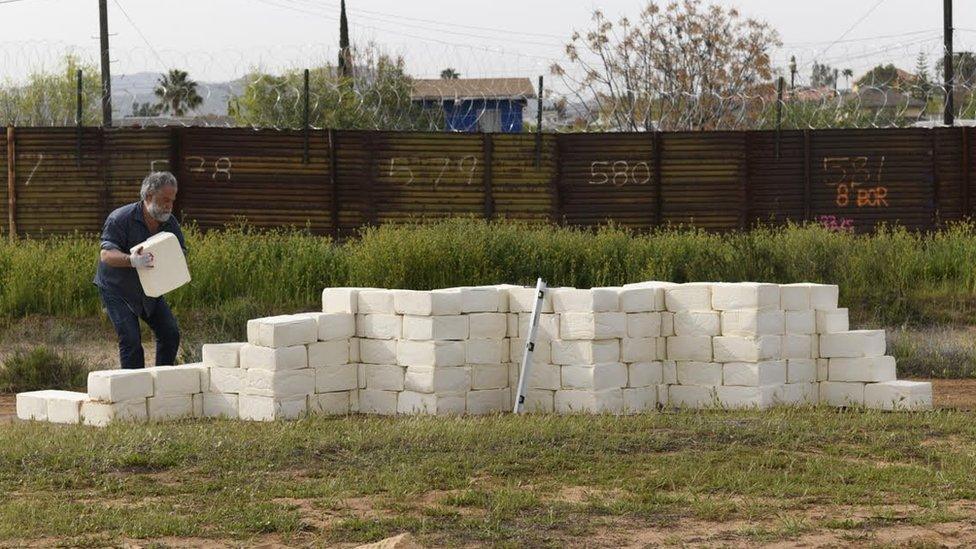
[[867, 177]]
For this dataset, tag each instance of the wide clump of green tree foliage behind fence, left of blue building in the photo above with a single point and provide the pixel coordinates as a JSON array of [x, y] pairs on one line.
[[376, 97]]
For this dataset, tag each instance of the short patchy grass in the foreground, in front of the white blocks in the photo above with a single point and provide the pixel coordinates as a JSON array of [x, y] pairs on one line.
[[499, 480]]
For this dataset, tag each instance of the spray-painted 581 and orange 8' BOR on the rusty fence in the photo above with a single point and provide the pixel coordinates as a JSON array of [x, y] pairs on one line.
[[856, 181]]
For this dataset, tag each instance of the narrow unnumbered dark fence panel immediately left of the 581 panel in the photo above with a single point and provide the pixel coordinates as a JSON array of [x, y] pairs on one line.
[[776, 182]]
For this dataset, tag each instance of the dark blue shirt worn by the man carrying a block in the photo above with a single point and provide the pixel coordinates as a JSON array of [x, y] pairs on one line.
[[124, 228]]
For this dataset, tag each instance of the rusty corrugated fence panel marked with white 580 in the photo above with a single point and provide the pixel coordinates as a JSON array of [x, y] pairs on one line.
[[608, 177]]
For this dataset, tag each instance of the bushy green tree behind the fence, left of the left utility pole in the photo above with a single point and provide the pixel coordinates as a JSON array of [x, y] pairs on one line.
[[50, 98]]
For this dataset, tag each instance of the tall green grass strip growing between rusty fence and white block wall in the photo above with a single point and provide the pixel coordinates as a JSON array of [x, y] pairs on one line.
[[890, 277]]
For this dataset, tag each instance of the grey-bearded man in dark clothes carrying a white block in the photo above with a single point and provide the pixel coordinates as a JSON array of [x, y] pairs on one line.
[[117, 279]]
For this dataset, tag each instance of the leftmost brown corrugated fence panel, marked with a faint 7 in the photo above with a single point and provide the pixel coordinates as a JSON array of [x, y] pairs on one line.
[[55, 193]]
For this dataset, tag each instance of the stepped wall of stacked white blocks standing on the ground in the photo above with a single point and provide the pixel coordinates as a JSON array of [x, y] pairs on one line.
[[632, 349]]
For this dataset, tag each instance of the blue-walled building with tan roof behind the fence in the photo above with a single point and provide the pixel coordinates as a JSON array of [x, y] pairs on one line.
[[476, 104]]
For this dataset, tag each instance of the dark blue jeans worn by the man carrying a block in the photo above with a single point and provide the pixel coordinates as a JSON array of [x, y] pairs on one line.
[[126, 323]]
